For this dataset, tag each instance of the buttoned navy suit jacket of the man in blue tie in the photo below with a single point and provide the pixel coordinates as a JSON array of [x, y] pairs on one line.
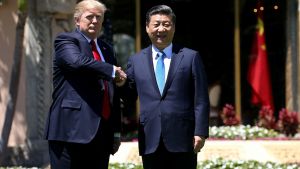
[[181, 112]]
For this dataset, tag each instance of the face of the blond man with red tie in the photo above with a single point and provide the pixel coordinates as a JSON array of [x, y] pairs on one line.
[[90, 22]]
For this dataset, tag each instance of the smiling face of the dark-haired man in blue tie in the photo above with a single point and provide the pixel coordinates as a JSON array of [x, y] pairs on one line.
[[160, 30]]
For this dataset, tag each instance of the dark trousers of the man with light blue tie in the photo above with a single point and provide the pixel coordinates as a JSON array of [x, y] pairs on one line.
[[163, 159]]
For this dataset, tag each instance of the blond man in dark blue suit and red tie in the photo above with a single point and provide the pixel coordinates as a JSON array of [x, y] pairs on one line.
[[80, 132]]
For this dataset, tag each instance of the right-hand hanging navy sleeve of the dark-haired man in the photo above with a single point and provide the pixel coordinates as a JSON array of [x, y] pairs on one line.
[[201, 98]]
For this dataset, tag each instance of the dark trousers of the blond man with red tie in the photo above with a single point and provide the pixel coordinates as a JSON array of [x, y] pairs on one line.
[[94, 155]]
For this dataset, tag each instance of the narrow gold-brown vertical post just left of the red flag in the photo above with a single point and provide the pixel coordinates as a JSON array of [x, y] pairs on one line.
[[237, 66]]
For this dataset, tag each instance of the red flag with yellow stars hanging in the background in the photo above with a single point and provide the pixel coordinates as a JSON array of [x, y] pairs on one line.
[[258, 72]]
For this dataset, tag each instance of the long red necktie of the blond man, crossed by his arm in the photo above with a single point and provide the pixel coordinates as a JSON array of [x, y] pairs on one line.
[[105, 106]]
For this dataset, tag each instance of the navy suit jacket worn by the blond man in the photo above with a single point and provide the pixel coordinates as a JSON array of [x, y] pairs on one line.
[[75, 113]]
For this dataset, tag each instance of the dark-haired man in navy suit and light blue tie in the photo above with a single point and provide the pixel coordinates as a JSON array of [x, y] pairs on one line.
[[171, 84]]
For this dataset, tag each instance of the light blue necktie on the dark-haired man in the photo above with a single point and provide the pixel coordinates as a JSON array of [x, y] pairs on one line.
[[160, 71]]
